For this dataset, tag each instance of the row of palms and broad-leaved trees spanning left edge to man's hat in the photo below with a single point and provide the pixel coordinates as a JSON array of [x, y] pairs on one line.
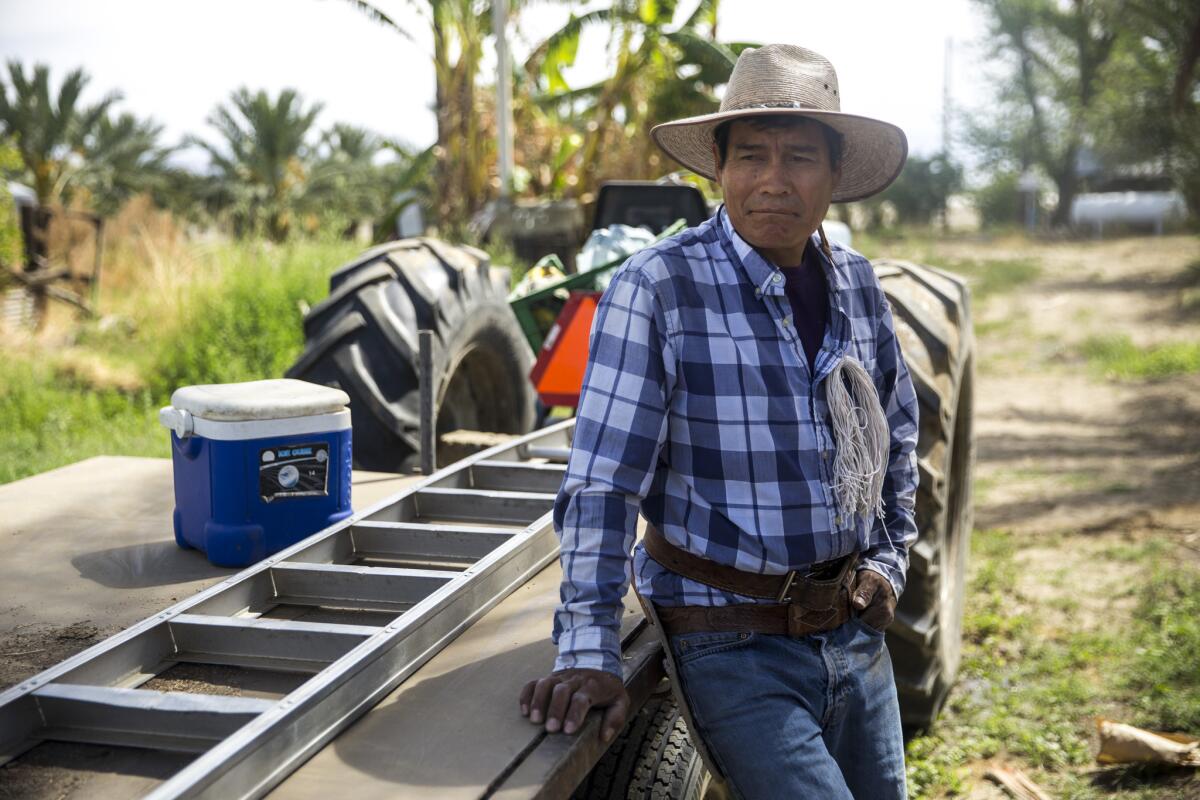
[[274, 172]]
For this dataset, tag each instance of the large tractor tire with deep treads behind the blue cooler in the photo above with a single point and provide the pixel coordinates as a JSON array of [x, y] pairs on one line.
[[364, 340]]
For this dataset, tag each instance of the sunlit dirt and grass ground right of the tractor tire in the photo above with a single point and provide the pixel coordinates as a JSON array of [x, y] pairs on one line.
[[1088, 485]]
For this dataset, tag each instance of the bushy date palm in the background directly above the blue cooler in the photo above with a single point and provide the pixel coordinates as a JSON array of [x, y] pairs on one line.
[[265, 160]]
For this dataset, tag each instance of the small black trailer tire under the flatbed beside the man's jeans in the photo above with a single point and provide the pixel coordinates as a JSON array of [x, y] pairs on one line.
[[651, 760]]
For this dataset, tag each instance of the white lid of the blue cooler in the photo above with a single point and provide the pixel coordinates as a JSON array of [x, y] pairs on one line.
[[260, 400]]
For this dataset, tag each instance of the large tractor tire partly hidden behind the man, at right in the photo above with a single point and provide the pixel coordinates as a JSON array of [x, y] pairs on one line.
[[933, 317]]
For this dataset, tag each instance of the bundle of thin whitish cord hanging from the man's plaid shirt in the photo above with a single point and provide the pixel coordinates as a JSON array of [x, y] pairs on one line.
[[862, 435]]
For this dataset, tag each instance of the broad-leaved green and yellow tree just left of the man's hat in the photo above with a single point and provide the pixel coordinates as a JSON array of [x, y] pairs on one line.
[[662, 71]]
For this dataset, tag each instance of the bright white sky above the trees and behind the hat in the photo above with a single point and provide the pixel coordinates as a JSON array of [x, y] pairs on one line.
[[175, 62]]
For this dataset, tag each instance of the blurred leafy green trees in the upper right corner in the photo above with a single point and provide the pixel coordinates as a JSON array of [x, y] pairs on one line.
[[1089, 87]]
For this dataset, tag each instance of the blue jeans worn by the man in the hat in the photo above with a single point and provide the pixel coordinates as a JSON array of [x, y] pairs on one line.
[[808, 718]]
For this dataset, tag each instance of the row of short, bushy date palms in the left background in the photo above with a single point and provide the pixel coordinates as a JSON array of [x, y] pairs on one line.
[[273, 172]]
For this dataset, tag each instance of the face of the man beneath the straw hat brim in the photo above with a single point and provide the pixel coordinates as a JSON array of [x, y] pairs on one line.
[[777, 183]]
